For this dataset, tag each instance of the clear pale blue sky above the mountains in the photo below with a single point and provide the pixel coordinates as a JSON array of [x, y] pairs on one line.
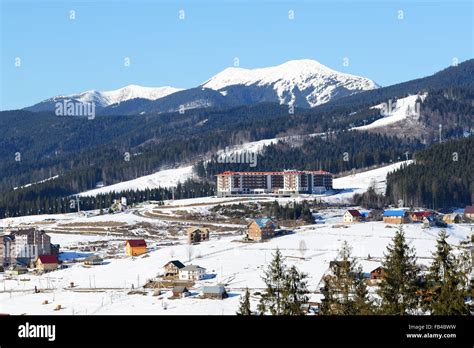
[[63, 56]]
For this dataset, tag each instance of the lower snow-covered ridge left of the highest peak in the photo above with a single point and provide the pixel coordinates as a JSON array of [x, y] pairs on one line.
[[106, 98]]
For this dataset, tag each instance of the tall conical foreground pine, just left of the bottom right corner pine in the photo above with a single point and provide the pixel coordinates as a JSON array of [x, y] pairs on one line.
[[398, 290]]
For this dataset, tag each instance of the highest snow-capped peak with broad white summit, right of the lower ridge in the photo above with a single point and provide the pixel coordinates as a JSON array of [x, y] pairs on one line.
[[299, 82]]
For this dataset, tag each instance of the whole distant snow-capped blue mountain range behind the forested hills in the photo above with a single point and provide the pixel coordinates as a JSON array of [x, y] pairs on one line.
[[302, 83]]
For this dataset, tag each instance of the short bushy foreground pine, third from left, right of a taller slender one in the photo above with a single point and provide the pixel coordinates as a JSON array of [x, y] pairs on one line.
[[295, 292]]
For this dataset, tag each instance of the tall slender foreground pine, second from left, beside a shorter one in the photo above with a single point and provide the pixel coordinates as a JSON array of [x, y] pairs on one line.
[[274, 278]]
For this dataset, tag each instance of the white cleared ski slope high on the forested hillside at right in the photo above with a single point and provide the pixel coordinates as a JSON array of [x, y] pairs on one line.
[[397, 111]]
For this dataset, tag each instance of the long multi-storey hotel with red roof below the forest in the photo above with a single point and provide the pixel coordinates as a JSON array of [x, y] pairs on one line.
[[280, 183]]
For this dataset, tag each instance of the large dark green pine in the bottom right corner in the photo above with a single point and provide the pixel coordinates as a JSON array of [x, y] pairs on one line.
[[446, 281]]
